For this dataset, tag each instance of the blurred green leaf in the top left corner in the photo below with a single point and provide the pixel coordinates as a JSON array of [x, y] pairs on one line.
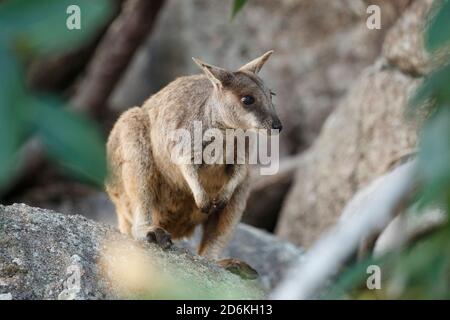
[[40, 26]]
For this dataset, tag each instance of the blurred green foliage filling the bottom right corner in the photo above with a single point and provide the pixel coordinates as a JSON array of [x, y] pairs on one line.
[[420, 271]]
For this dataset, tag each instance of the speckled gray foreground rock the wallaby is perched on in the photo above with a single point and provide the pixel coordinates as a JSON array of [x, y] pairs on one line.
[[47, 255]]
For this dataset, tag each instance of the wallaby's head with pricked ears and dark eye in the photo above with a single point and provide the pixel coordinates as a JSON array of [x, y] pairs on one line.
[[240, 98]]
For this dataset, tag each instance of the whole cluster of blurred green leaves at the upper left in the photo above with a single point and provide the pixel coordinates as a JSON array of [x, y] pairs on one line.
[[31, 28]]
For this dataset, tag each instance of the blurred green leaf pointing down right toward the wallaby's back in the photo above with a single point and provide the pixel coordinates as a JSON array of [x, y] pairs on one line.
[[71, 139]]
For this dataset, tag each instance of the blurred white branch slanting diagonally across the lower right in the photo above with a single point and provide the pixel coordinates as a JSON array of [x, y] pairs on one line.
[[325, 258]]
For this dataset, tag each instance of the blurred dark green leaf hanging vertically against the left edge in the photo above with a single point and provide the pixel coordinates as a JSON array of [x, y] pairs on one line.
[[12, 122]]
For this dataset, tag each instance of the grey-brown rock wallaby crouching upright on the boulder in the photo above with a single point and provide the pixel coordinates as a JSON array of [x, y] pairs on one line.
[[157, 199]]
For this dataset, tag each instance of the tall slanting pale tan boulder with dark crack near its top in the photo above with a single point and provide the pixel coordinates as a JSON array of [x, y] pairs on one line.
[[363, 138]]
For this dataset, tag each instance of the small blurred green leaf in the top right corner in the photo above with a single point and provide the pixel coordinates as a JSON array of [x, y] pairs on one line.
[[438, 35]]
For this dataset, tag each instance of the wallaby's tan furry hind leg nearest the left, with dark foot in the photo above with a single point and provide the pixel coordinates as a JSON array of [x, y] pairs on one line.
[[137, 171]]
